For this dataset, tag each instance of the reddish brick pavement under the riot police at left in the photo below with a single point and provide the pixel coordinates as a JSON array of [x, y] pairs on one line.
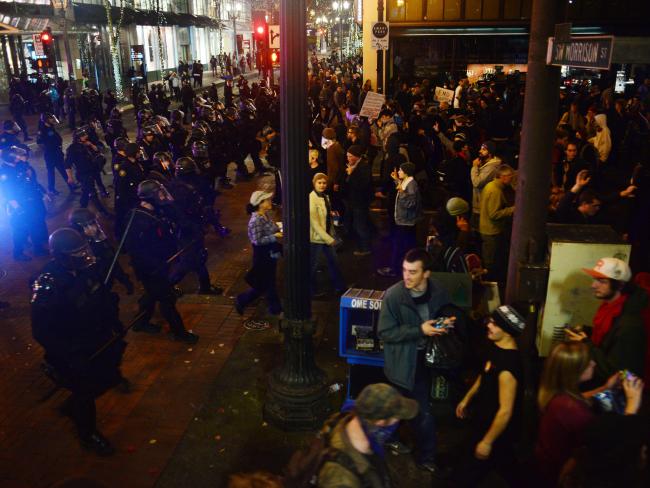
[[37, 446]]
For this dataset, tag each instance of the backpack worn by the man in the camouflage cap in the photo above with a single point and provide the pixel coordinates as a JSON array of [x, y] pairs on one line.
[[305, 464]]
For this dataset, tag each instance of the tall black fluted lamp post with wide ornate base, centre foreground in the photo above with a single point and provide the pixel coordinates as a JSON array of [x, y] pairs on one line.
[[297, 394]]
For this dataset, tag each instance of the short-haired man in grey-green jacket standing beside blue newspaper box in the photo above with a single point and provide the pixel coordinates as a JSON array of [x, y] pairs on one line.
[[408, 317]]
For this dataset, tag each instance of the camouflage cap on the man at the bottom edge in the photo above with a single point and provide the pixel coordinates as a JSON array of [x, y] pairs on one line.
[[381, 401]]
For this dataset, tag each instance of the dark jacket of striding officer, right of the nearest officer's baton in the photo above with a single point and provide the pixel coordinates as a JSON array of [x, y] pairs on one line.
[[150, 241]]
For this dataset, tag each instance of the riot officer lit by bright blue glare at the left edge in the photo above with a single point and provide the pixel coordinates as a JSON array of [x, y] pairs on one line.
[[24, 197]]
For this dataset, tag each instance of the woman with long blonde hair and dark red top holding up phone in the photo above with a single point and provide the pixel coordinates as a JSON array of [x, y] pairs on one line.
[[566, 411]]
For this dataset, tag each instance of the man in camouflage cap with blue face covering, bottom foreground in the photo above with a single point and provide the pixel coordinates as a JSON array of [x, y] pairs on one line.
[[359, 437]]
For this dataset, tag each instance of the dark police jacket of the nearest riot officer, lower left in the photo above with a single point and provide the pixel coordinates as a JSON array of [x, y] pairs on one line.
[[73, 315]]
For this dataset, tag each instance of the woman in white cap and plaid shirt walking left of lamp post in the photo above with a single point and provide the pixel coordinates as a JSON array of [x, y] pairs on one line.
[[264, 234]]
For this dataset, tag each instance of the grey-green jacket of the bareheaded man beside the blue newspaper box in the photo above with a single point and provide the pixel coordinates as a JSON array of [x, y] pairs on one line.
[[400, 329]]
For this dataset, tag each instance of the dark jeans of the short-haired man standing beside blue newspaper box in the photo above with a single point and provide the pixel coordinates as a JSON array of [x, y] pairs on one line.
[[424, 423]]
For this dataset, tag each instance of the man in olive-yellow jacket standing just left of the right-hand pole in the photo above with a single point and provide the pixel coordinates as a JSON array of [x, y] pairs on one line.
[[497, 207]]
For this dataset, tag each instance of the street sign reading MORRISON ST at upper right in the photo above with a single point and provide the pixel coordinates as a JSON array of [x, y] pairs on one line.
[[593, 52]]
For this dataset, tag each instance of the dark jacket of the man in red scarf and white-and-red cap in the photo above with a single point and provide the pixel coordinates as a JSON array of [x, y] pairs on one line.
[[624, 345]]
